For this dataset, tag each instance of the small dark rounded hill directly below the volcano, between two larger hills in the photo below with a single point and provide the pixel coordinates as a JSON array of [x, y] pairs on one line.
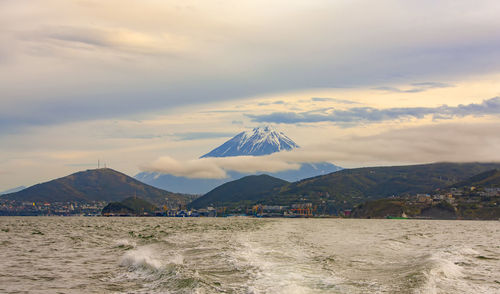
[[245, 191]]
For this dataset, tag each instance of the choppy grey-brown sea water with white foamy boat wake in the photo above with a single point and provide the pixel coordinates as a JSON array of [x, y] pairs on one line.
[[245, 255]]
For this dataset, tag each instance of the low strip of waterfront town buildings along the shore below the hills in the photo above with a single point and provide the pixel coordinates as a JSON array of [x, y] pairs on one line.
[[473, 203]]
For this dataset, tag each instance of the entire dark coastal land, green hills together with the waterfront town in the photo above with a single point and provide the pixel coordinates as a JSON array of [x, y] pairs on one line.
[[476, 197]]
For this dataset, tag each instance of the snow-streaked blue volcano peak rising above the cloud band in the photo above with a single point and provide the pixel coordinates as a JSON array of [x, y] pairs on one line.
[[259, 141]]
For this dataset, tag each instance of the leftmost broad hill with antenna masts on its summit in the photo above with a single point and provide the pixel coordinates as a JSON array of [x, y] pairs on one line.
[[103, 184]]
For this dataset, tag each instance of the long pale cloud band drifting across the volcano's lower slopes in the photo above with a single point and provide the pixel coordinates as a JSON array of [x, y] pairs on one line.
[[424, 144]]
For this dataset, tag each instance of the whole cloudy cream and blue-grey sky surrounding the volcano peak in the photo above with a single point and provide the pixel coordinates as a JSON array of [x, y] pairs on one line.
[[153, 85]]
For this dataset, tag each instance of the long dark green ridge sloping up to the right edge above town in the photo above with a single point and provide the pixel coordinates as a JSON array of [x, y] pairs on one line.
[[349, 187]]
